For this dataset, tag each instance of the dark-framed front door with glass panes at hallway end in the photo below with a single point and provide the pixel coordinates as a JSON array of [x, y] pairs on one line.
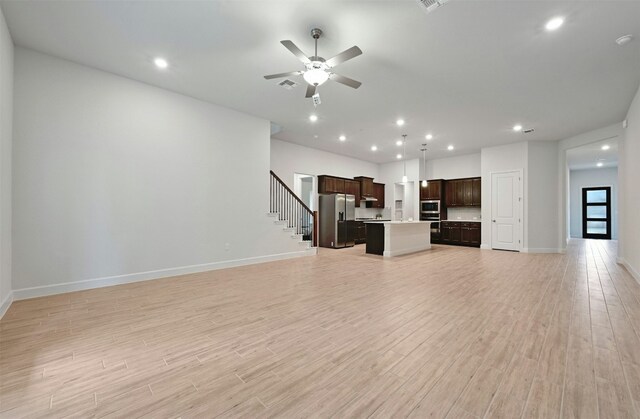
[[596, 213]]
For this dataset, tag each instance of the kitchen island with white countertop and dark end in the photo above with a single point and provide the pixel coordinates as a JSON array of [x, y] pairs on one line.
[[395, 238]]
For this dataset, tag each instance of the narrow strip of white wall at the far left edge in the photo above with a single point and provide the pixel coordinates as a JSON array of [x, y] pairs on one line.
[[6, 140]]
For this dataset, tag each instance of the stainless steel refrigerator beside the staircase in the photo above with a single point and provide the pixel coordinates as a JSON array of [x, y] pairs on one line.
[[337, 220]]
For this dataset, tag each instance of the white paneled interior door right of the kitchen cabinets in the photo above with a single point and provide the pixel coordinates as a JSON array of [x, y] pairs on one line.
[[505, 210]]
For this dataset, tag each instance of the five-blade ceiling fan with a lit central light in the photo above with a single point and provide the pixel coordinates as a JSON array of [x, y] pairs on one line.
[[317, 69]]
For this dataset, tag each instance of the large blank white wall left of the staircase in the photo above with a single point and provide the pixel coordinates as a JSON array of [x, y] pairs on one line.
[[114, 177]]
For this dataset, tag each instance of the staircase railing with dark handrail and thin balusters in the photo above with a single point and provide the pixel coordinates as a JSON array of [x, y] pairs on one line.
[[291, 213]]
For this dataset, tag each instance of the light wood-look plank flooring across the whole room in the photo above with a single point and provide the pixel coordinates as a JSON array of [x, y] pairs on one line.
[[448, 333]]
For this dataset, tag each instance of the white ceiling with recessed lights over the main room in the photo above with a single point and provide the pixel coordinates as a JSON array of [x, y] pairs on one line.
[[466, 72]]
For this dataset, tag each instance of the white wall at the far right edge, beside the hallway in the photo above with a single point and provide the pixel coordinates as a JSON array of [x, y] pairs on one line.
[[630, 158]]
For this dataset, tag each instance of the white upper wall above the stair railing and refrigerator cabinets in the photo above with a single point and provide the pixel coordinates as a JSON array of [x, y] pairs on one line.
[[288, 158]]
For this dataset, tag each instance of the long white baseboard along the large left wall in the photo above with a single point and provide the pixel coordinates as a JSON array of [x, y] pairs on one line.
[[25, 293]]
